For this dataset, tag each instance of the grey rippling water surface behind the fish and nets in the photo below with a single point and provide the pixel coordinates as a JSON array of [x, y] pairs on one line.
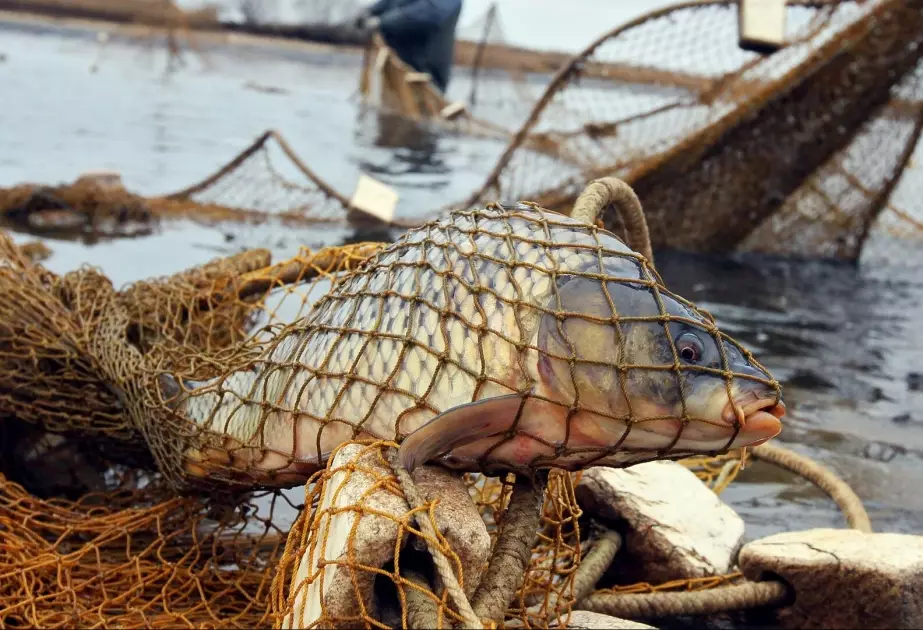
[[845, 341]]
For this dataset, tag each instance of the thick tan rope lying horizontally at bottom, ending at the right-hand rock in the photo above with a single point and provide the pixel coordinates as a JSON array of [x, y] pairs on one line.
[[720, 600]]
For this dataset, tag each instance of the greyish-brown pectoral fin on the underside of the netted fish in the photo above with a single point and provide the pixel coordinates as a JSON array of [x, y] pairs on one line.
[[458, 426]]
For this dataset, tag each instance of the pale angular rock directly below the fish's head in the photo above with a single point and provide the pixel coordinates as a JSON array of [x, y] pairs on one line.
[[675, 526]]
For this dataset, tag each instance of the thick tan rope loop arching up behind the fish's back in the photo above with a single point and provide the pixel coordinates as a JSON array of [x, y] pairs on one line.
[[607, 191]]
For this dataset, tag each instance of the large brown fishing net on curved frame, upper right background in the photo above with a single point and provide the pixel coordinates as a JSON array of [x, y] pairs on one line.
[[719, 142]]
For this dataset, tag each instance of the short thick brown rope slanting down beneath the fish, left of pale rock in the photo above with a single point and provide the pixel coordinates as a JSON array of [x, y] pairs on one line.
[[513, 549]]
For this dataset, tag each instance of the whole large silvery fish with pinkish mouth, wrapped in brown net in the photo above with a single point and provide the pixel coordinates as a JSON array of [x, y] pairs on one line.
[[492, 339]]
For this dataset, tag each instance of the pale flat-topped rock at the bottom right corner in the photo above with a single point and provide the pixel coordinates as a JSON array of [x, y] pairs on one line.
[[843, 578]]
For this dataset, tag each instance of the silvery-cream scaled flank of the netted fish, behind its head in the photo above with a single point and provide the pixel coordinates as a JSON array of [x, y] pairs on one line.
[[449, 298]]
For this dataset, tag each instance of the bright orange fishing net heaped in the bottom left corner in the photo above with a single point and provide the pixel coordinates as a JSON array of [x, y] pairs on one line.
[[137, 557]]
